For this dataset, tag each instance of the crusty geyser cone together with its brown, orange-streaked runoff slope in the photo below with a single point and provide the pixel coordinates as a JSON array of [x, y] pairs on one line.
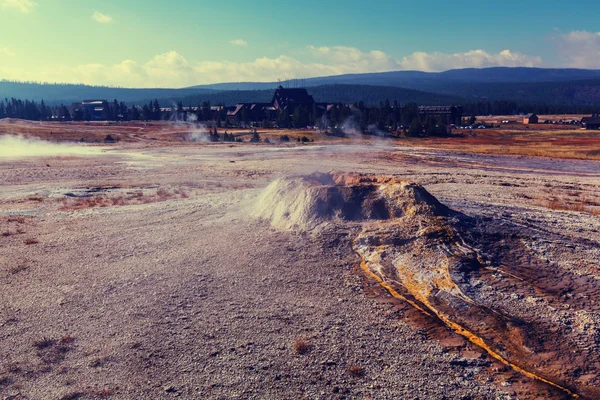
[[450, 267]]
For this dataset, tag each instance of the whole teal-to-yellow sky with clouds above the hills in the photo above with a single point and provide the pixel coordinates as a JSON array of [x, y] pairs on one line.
[[143, 43]]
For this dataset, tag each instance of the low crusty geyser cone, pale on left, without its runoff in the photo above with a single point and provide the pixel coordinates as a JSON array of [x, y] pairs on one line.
[[311, 201]]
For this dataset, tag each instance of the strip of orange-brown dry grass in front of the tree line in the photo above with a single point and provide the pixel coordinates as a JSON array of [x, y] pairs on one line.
[[541, 140]]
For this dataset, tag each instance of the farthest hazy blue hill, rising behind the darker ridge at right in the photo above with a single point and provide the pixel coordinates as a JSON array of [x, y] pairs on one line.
[[532, 85]]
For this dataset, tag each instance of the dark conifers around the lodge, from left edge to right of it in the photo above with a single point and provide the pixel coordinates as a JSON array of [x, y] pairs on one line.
[[382, 118]]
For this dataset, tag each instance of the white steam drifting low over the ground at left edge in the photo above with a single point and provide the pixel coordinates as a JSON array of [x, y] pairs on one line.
[[13, 146]]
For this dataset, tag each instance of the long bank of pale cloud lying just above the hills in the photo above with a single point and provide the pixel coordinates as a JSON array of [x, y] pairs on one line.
[[171, 69]]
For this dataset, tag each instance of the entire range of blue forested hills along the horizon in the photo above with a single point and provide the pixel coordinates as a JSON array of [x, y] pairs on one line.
[[525, 85]]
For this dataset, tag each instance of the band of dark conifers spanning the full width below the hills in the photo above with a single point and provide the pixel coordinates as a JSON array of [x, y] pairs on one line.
[[383, 117]]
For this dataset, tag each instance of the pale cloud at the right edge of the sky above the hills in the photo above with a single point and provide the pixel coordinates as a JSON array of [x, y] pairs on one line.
[[579, 49]]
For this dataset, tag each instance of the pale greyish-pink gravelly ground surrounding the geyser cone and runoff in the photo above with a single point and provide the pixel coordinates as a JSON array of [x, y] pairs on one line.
[[187, 296]]
